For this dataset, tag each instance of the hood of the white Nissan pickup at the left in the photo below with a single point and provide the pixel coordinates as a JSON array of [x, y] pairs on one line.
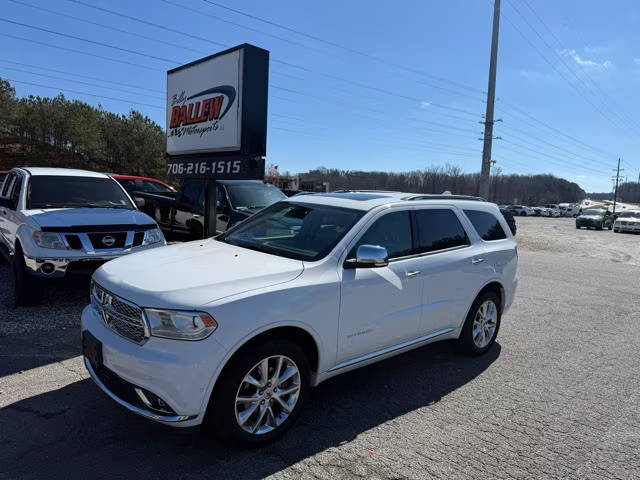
[[79, 217]]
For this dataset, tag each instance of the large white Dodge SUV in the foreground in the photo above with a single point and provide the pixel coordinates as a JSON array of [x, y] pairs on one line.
[[234, 330]]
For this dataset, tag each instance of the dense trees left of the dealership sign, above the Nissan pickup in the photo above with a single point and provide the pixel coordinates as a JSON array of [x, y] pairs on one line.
[[58, 132]]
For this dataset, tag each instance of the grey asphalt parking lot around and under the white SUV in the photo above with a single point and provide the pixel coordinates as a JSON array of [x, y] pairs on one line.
[[557, 397]]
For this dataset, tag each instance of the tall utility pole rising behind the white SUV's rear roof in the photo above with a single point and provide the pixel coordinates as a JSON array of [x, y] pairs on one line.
[[485, 172]]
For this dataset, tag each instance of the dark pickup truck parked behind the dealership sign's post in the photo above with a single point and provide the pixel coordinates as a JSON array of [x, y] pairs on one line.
[[182, 213]]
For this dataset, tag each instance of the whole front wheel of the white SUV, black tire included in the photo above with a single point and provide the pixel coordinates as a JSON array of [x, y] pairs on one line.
[[260, 393]]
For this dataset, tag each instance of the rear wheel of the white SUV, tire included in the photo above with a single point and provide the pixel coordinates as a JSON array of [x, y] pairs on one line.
[[482, 324]]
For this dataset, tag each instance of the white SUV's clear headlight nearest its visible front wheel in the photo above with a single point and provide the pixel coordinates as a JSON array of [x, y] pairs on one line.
[[180, 325]]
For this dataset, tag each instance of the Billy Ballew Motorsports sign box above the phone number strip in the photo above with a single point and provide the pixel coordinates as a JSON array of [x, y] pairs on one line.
[[217, 106]]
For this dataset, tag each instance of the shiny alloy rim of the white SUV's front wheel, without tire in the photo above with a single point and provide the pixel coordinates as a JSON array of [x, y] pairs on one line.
[[267, 395]]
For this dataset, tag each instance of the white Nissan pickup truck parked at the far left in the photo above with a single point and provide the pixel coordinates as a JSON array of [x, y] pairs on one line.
[[57, 222]]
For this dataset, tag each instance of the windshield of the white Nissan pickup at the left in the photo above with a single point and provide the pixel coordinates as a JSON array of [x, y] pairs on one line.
[[54, 191]]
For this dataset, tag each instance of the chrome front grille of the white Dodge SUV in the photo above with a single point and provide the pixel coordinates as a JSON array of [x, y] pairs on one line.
[[120, 315]]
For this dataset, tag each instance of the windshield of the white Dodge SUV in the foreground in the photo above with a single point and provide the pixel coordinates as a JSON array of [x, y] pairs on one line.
[[291, 230]]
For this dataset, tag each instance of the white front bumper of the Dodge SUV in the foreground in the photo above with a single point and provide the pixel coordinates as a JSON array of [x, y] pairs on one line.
[[181, 373]]
